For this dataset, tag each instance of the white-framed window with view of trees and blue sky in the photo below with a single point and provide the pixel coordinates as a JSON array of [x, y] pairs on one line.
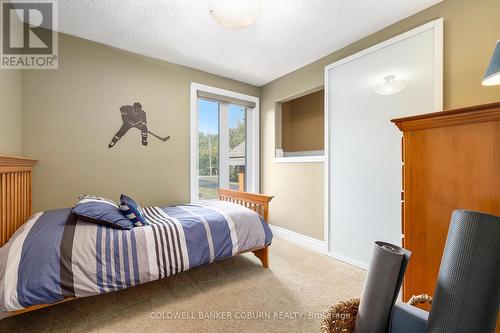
[[224, 142]]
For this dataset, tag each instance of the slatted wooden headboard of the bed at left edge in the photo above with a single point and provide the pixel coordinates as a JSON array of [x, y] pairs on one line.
[[15, 194]]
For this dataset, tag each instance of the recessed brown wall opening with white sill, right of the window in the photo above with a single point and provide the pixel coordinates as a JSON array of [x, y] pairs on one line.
[[300, 128]]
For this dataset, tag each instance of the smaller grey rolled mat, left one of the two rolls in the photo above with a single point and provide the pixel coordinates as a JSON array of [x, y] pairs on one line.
[[385, 276]]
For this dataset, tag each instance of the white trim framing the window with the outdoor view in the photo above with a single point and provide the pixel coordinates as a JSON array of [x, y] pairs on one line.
[[253, 163]]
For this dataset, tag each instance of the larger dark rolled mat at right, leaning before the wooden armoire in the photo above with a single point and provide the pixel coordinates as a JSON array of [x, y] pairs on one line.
[[467, 292]]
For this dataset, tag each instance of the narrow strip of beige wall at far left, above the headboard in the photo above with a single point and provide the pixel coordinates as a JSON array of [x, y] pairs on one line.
[[10, 112]]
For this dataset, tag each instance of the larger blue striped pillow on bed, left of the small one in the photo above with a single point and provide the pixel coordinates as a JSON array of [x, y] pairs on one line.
[[96, 209]]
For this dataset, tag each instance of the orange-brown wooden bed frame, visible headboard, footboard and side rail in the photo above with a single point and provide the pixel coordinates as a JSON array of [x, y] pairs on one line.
[[16, 208]]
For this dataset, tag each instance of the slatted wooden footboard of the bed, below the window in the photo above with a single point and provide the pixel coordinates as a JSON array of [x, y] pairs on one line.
[[256, 202]]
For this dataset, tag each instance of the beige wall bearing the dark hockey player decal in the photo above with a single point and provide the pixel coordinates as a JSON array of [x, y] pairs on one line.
[[69, 116]]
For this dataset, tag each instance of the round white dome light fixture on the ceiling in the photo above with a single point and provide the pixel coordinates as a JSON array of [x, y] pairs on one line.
[[235, 14]]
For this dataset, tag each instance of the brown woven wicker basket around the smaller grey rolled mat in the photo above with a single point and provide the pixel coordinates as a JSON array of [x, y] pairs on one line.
[[341, 317]]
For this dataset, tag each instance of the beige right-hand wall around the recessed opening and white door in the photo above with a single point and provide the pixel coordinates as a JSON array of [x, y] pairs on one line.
[[471, 30]]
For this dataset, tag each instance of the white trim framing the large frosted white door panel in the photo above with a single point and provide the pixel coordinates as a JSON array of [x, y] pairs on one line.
[[437, 26]]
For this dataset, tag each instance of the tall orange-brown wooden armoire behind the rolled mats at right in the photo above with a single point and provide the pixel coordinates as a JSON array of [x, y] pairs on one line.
[[451, 160]]
